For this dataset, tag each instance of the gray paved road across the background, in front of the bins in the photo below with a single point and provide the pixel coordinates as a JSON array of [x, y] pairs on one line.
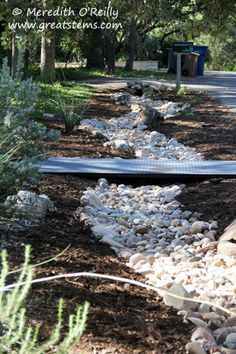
[[221, 85]]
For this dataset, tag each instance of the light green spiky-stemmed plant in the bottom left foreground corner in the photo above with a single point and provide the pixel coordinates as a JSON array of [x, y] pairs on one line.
[[16, 336]]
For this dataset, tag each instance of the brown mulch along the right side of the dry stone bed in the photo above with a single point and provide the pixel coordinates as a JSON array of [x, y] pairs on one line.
[[211, 129]]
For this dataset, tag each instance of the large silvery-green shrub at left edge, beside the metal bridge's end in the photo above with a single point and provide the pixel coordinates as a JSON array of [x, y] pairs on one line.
[[21, 138]]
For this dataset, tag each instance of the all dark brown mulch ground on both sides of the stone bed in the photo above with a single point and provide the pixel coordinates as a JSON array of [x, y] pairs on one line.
[[122, 318]]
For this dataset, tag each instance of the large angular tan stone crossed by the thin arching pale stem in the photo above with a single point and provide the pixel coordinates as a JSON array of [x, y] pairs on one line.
[[180, 304]]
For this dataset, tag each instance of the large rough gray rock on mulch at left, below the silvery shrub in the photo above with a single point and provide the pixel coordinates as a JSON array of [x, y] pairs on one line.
[[29, 205]]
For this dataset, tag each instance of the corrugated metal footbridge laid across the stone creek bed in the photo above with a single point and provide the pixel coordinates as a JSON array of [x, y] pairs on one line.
[[118, 167]]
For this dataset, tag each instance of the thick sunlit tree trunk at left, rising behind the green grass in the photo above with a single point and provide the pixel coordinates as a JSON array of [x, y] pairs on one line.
[[47, 66]]
